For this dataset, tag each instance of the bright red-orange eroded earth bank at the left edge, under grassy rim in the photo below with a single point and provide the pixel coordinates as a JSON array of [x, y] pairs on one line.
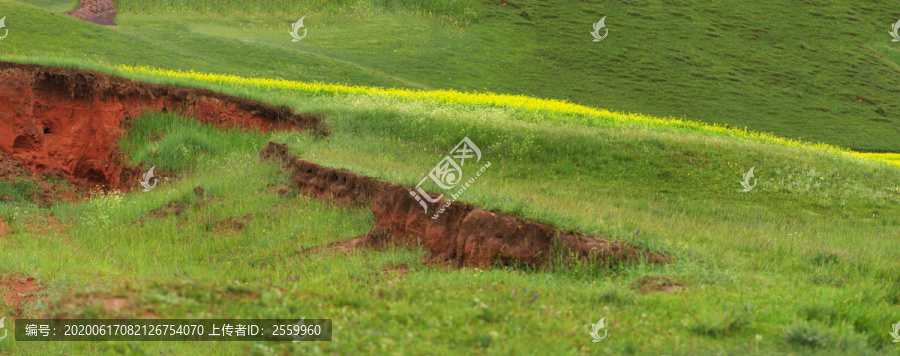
[[69, 120]]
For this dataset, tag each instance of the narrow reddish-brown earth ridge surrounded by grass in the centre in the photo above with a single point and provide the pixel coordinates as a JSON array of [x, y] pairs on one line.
[[465, 234]]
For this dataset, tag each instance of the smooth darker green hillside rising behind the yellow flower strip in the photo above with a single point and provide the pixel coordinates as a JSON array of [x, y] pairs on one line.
[[759, 65]]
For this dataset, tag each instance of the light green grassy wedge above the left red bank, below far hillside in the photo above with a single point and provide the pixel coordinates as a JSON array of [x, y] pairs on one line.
[[74, 38]]
